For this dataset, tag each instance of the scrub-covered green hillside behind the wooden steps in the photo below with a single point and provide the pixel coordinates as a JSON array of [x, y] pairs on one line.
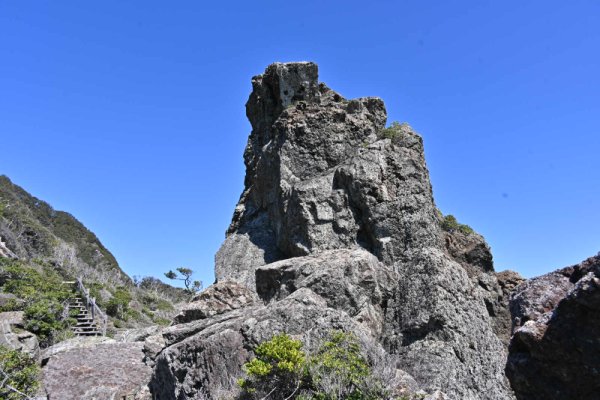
[[40, 247]]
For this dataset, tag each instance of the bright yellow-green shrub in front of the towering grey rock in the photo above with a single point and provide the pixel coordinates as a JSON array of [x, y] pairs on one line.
[[337, 370]]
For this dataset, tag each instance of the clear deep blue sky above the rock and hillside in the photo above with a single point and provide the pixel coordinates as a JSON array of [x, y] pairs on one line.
[[130, 115]]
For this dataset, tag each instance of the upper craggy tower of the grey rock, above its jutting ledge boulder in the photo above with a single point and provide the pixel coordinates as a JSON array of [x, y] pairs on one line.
[[316, 179]]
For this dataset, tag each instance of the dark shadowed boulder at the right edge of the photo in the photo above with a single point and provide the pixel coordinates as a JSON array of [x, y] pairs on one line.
[[555, 350]]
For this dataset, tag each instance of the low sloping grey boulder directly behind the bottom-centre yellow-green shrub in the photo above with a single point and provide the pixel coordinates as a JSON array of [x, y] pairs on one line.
[[204, 357]]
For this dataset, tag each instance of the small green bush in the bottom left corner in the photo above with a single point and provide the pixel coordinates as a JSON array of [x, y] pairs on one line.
[[18, 375]]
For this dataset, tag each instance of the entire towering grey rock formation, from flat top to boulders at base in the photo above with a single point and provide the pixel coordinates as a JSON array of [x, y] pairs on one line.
[[337, 229]]
